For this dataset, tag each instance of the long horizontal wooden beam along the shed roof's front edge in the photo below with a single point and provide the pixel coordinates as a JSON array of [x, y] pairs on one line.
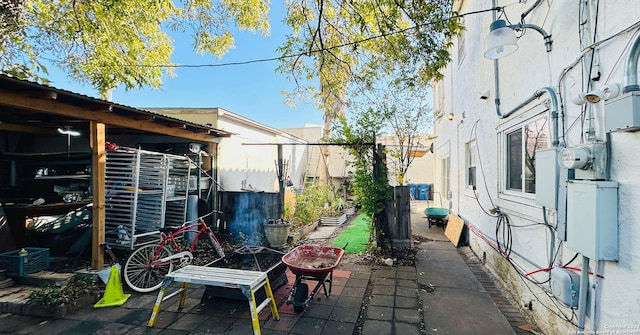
[[10, 98]]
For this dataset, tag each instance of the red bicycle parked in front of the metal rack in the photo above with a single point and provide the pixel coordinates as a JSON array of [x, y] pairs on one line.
[[145, 268]]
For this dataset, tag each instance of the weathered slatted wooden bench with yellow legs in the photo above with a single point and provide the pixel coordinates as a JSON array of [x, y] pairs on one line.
[[245, 280]]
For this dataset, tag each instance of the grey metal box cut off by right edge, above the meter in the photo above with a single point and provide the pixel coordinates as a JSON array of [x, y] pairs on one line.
[[623, 113]]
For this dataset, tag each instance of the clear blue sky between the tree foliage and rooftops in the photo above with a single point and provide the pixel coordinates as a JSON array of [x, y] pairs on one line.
[[252, 90]]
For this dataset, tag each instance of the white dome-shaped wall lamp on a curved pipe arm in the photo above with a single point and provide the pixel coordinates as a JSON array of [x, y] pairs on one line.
[[502, 40]]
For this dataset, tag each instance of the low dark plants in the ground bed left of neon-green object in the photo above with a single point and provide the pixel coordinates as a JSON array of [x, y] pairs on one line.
[[76, 288]]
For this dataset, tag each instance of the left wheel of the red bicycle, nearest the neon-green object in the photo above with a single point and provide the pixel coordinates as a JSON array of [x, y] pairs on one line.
[[137, 271]]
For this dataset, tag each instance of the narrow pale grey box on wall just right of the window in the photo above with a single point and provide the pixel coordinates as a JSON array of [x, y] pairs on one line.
[[547, 171]]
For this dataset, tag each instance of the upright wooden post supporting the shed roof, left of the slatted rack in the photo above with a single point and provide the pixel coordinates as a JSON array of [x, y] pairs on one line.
[[98, 172]]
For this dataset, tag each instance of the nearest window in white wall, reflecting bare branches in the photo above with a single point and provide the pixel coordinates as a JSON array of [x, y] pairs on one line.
[[522, 142]]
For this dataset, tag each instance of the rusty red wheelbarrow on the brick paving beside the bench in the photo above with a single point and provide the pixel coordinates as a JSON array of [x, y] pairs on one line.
[[310, 262]]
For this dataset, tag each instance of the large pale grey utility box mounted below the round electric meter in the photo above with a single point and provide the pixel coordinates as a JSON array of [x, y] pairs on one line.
[[592, 218]]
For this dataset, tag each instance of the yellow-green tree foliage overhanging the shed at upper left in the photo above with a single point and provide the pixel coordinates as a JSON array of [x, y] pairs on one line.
[[117, 42]]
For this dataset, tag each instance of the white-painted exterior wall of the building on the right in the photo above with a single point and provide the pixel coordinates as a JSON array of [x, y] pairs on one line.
[[479, 122]]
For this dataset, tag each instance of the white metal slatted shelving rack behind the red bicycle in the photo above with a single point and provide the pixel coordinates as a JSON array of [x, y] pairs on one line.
[[145, 191]]
